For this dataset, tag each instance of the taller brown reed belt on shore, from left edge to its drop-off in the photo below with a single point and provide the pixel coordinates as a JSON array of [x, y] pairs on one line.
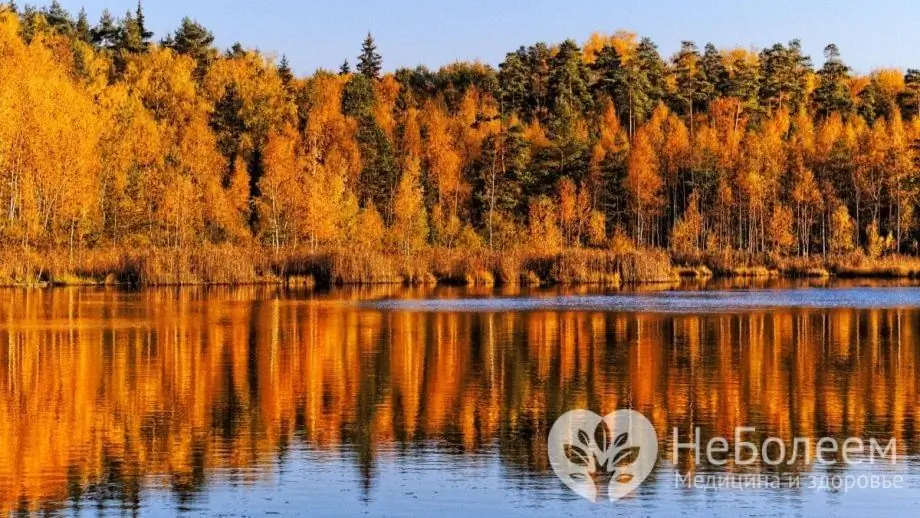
[[241, 265]]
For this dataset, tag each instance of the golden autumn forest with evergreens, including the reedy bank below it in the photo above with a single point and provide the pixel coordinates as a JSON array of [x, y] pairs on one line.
[[127, 160]]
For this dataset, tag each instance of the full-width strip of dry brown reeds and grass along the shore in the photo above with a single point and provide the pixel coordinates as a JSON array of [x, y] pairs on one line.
[[233, 265]]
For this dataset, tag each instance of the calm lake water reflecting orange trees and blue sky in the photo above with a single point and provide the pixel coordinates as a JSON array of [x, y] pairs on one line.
[[391, 402]]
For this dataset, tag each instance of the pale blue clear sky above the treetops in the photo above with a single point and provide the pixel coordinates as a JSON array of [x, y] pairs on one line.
[[313, 34]]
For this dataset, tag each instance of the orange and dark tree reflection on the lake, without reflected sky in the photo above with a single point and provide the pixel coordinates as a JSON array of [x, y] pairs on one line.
[[106, 395]]
